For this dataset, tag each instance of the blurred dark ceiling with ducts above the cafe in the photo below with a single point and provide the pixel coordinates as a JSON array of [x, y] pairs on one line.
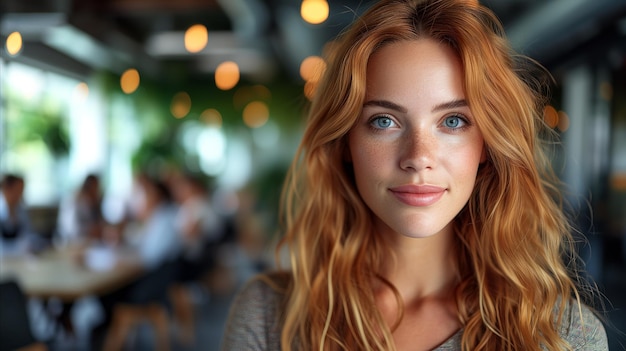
[[266, 37]]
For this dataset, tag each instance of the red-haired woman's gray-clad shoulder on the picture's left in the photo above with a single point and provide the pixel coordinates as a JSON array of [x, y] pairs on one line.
[[254, 319]]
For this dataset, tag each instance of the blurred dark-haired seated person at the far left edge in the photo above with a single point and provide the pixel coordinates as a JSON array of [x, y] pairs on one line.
[[16, 236]]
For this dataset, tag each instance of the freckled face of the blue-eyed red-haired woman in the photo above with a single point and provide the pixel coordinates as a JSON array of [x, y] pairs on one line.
[[415, 148]]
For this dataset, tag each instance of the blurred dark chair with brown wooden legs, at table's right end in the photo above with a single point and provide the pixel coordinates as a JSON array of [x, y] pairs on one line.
[[147, 302]]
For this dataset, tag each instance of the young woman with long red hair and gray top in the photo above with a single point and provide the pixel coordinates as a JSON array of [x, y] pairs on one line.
[[421, 212]]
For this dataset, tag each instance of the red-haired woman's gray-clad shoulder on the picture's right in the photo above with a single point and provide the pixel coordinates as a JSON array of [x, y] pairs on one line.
[[582, 329]]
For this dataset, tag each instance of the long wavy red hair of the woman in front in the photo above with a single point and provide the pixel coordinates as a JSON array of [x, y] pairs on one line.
[[512, 235]]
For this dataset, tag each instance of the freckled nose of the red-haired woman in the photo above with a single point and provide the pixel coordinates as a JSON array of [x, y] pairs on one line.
[[418, 151]]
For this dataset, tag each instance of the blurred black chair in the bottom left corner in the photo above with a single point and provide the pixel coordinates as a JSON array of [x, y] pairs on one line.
[[15, 327]]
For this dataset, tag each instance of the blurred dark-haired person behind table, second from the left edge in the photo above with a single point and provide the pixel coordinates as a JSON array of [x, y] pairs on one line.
[[80, 216]]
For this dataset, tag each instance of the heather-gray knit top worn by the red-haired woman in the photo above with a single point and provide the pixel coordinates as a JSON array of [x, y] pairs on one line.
[[253, 324]]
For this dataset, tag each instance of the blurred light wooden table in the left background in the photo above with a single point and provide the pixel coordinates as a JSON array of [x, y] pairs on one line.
[[61, 273]]
